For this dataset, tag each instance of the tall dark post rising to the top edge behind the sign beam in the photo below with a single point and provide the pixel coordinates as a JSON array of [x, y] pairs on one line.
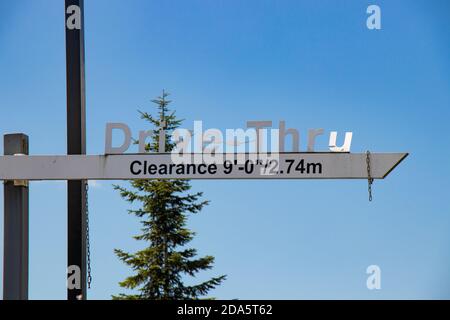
[[76, 142]]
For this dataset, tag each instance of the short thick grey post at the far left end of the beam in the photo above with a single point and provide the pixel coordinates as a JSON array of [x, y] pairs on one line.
[[15, 252]]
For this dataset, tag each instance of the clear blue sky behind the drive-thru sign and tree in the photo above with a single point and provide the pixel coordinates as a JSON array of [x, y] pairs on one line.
[[312, 63]]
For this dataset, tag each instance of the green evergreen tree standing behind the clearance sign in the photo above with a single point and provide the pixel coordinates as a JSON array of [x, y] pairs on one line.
[[164, 205]]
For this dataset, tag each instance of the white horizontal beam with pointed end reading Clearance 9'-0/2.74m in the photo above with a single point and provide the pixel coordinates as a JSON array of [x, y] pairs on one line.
[[226, 166]]
